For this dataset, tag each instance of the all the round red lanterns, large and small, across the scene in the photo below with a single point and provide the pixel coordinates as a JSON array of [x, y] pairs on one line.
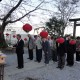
[[43, 34]]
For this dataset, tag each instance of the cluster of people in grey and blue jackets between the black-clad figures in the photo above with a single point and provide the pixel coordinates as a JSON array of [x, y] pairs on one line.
[[42, 45]]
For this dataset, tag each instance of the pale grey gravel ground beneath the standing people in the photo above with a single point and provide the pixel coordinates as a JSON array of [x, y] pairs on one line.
[[38, 71]]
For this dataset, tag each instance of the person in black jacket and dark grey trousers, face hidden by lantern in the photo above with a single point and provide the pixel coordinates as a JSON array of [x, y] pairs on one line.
[[61, 54]]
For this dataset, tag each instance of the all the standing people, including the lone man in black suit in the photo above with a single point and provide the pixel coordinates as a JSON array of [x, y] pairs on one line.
[[52, 50]]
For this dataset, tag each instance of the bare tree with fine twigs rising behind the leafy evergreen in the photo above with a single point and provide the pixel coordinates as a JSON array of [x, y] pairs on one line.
[[64, 10]]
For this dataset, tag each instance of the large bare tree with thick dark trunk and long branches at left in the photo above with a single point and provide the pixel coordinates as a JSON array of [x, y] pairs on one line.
[[14, 11]]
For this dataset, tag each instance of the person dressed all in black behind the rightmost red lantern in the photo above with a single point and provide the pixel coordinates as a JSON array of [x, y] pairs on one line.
[[71, 48]]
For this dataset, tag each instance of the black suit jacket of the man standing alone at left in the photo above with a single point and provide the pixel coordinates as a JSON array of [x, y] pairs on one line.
[[20, 47]]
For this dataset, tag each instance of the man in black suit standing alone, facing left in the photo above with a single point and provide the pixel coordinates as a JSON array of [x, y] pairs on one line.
[[19, 51]]
